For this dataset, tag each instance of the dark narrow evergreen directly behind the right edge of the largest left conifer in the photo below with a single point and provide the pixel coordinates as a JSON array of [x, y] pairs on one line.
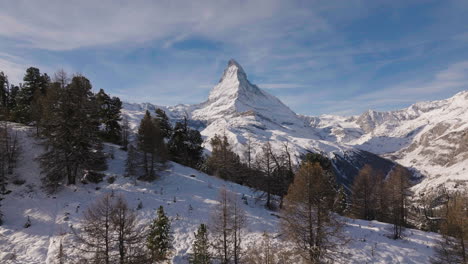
[[109, 116]]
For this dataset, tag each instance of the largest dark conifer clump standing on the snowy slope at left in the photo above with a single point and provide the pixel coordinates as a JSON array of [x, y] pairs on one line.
[[71, 129]]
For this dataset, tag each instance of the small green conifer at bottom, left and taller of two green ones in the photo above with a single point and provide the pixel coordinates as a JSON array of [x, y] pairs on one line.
[[159, 240]]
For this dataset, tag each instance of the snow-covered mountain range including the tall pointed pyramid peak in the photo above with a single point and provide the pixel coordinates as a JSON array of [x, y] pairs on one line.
[[430, 137]]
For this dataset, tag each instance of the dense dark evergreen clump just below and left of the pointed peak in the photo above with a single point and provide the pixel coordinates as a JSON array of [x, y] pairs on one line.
[[185, 145]]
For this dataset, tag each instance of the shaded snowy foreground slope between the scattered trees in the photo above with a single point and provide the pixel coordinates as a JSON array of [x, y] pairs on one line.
[[178, 189]]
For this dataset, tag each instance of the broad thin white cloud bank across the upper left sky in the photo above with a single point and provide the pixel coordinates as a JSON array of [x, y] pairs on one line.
[[65, 25]]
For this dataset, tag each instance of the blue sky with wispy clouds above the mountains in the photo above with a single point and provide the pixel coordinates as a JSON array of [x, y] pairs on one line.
[[318, 57]]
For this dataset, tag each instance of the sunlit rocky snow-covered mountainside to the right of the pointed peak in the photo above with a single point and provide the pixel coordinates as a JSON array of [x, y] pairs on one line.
[[431, 137]]
